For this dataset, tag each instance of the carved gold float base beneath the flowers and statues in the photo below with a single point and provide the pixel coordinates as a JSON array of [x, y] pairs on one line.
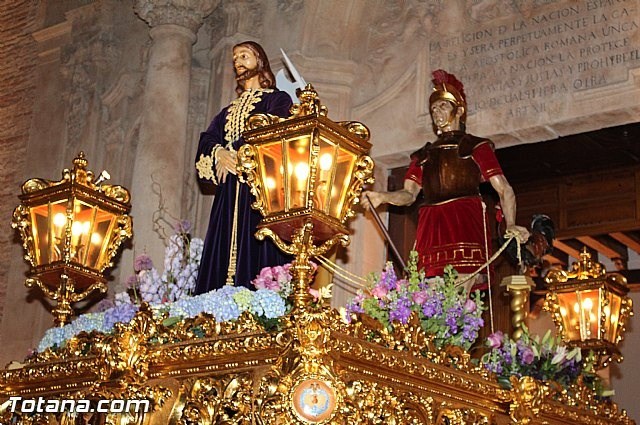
[[315, 369]]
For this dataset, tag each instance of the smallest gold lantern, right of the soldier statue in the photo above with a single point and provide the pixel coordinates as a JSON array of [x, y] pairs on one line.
[[590, 307]]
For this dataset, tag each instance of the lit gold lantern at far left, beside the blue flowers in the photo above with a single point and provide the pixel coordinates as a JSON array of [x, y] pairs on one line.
[[70, 230]]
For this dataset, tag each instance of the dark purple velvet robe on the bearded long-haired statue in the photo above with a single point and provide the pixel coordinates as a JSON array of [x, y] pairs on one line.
[[252, 255]]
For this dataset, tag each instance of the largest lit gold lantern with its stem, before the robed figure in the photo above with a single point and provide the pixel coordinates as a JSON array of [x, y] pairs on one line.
[[306, 173]]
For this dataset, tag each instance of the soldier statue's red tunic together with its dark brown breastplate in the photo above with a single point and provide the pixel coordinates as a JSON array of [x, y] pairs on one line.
[[450, 224]]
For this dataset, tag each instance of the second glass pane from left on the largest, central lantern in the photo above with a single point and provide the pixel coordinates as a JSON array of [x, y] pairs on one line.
[[297, 171]]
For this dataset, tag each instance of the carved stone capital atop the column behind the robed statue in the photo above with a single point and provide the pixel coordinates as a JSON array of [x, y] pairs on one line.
[[186, 13]]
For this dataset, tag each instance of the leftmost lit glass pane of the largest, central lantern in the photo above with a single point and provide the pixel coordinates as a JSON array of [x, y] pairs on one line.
[[272, 174]]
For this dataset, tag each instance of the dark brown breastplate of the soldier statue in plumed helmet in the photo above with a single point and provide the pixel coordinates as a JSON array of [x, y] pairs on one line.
[[446, 176]]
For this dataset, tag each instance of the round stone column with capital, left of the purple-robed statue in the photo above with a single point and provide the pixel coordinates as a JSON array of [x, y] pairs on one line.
[[160, 157]]
